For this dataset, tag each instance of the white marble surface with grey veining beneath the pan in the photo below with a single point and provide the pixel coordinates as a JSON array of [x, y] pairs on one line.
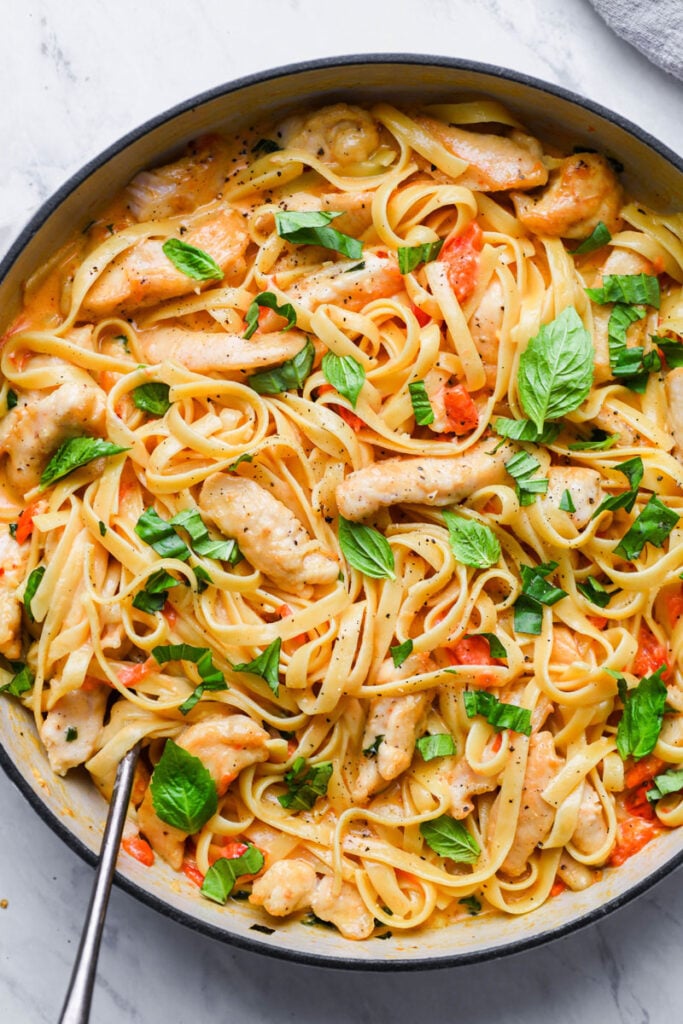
[[73, 78]]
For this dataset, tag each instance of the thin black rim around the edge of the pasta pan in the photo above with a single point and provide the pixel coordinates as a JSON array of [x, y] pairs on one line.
[[54, 823]]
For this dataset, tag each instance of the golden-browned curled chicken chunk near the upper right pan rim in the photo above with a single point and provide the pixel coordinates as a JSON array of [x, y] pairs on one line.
[[581, 193]]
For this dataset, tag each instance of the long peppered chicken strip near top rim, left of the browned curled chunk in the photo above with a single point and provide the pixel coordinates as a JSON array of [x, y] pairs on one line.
[[496, 162]]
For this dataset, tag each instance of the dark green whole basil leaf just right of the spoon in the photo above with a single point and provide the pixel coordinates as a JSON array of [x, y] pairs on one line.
[[184, 794]]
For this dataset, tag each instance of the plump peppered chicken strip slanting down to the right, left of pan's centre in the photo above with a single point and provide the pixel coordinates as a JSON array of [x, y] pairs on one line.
[[270, 535]]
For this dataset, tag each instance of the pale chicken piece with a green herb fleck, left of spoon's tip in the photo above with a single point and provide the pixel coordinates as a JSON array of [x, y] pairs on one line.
[[72, 727]]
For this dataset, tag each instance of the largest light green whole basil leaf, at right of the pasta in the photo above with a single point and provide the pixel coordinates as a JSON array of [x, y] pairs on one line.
[[557, 369]]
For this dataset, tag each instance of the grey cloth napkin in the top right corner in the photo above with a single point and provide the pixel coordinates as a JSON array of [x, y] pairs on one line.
[[654, 27]]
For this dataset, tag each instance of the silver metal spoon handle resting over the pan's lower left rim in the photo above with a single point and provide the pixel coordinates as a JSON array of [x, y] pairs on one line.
[[76, 1009]]
